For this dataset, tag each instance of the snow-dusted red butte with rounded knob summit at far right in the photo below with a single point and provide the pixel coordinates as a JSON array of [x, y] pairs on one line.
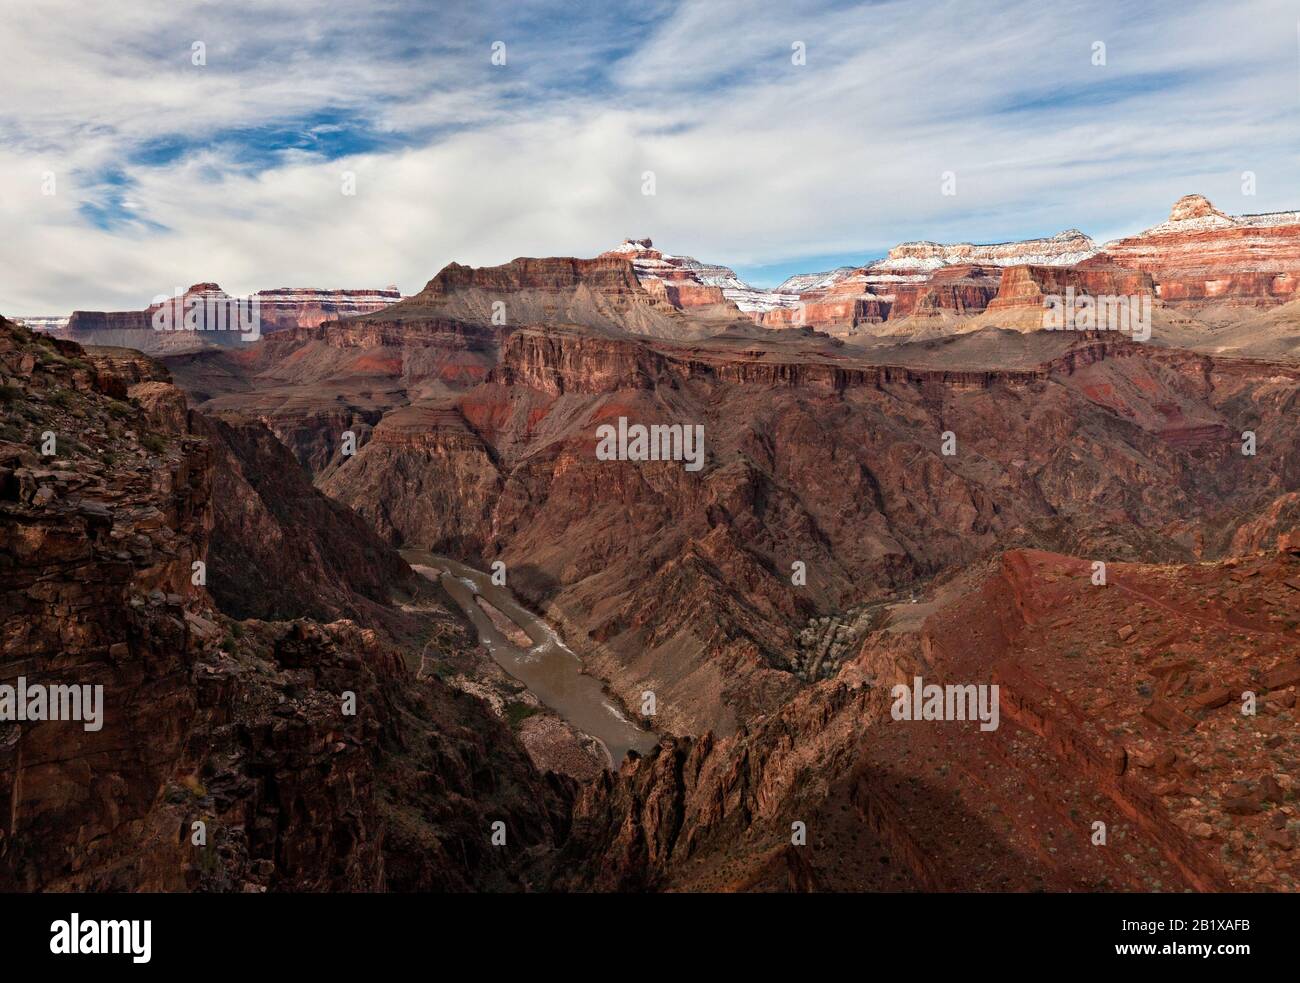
[[1203, 256]]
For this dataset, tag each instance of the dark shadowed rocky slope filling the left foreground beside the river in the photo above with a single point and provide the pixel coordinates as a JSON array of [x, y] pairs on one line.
[[240, 726]]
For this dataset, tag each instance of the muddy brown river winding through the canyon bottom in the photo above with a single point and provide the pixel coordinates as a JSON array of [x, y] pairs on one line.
[[549, 668]]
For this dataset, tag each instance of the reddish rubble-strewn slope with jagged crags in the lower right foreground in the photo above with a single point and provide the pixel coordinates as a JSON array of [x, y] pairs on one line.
[[887, 803]]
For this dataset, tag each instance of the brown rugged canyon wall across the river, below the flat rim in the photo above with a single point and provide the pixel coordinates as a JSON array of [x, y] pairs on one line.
[[679, 582]]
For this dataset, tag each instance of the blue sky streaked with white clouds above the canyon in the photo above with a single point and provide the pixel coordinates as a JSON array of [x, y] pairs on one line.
[[151, 145]]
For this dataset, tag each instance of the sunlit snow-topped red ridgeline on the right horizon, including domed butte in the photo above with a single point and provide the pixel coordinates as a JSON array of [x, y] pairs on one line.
[[1198, 258]]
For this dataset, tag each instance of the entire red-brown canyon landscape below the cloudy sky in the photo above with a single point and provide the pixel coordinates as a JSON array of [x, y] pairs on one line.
[[903, 475]]
